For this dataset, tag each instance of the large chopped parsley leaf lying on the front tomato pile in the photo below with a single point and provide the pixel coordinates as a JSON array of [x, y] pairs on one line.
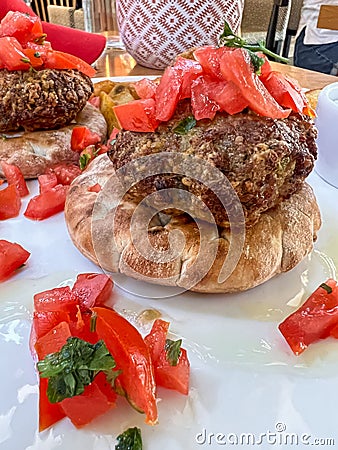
[[74, 367]]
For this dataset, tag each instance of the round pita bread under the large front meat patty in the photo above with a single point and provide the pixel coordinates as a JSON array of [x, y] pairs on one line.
[[100, 229]]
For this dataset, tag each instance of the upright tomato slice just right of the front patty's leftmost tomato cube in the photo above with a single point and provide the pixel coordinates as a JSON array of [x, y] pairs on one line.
[[167, 94]]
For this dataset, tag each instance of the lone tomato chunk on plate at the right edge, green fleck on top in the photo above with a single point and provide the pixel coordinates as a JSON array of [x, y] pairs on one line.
[[314, 320]]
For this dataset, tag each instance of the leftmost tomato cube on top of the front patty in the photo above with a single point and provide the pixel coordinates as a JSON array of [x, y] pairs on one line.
[[138, 115]]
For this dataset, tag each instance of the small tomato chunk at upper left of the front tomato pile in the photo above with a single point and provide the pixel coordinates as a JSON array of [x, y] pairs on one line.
[[57, 299]]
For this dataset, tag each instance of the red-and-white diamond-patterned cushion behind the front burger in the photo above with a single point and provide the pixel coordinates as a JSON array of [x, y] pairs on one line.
[[155, 31]]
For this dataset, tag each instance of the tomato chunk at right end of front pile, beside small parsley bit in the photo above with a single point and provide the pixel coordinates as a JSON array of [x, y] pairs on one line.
[[174, 377]]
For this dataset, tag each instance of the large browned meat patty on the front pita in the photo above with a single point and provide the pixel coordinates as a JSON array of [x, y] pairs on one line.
[[265, 160]]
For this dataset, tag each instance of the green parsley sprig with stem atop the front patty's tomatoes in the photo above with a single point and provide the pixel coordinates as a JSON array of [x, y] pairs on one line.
[[229, 39]]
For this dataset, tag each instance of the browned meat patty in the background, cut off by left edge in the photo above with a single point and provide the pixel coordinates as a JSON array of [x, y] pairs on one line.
[[43, 99]]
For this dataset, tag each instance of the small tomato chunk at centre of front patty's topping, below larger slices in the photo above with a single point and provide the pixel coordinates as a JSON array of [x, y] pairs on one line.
[[203, 107]]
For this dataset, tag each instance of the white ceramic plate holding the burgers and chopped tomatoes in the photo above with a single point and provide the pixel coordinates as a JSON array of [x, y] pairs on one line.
[[246, 385]]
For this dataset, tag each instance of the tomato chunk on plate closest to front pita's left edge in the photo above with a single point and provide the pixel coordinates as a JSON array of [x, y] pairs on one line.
[[47, 204]]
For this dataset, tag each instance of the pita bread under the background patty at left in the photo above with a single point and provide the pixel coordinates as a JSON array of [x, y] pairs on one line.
[[35, 151]]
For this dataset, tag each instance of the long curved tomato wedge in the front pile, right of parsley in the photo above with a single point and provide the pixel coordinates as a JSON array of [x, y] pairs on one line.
[[132, 356]]
